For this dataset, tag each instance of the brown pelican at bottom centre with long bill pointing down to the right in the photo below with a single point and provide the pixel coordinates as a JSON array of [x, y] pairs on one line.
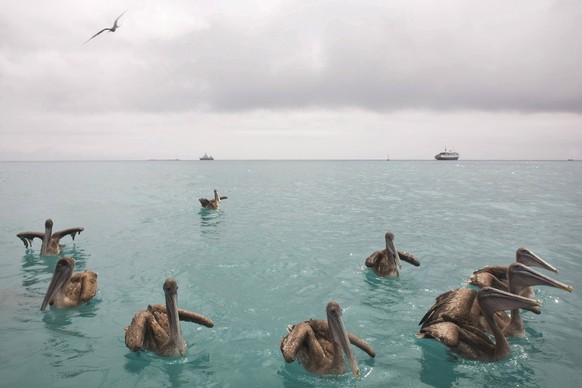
[[319, 344]]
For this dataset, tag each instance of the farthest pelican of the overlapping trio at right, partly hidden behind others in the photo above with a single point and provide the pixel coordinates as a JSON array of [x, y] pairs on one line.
[[496, 275]]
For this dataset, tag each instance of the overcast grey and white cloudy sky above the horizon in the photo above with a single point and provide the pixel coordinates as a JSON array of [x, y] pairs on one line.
[[290, 79]]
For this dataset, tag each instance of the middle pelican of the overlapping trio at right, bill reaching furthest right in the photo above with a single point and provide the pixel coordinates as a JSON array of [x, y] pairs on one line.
[[462, 304]]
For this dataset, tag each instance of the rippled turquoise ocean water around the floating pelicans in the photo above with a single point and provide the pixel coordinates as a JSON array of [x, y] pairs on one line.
[[291, 236]]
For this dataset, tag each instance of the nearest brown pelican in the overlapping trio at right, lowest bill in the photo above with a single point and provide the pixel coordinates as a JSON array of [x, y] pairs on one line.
[[471, 342]]
